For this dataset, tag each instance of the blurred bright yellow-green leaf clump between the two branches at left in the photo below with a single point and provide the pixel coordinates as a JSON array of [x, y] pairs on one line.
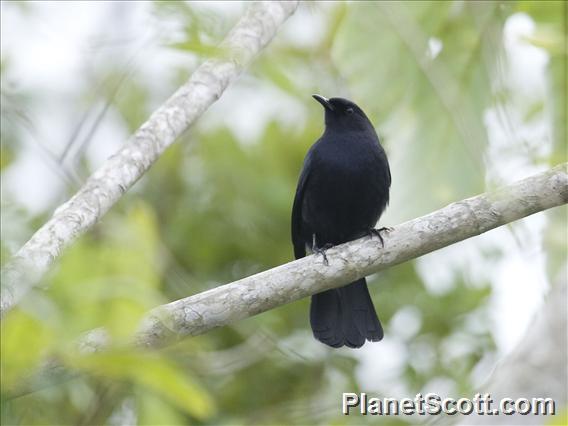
[[111, 280]]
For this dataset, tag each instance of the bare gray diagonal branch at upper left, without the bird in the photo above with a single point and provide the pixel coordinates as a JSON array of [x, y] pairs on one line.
[[107, 185]]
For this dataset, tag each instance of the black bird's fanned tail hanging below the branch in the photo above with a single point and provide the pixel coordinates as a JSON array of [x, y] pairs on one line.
[[345, 316]]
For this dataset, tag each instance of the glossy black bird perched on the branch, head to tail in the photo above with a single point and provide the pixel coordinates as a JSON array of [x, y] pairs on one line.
[[342, 191]]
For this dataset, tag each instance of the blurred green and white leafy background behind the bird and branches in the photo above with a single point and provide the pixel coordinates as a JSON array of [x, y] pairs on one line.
[[465, 96]]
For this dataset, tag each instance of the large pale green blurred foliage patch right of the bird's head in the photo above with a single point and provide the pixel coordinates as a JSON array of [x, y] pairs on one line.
[[431, 104]]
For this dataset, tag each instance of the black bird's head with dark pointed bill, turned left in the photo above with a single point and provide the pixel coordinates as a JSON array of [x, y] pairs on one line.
[[343, 114]]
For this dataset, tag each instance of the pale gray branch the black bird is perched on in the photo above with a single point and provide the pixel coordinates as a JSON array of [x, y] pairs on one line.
[[292, 281]]
